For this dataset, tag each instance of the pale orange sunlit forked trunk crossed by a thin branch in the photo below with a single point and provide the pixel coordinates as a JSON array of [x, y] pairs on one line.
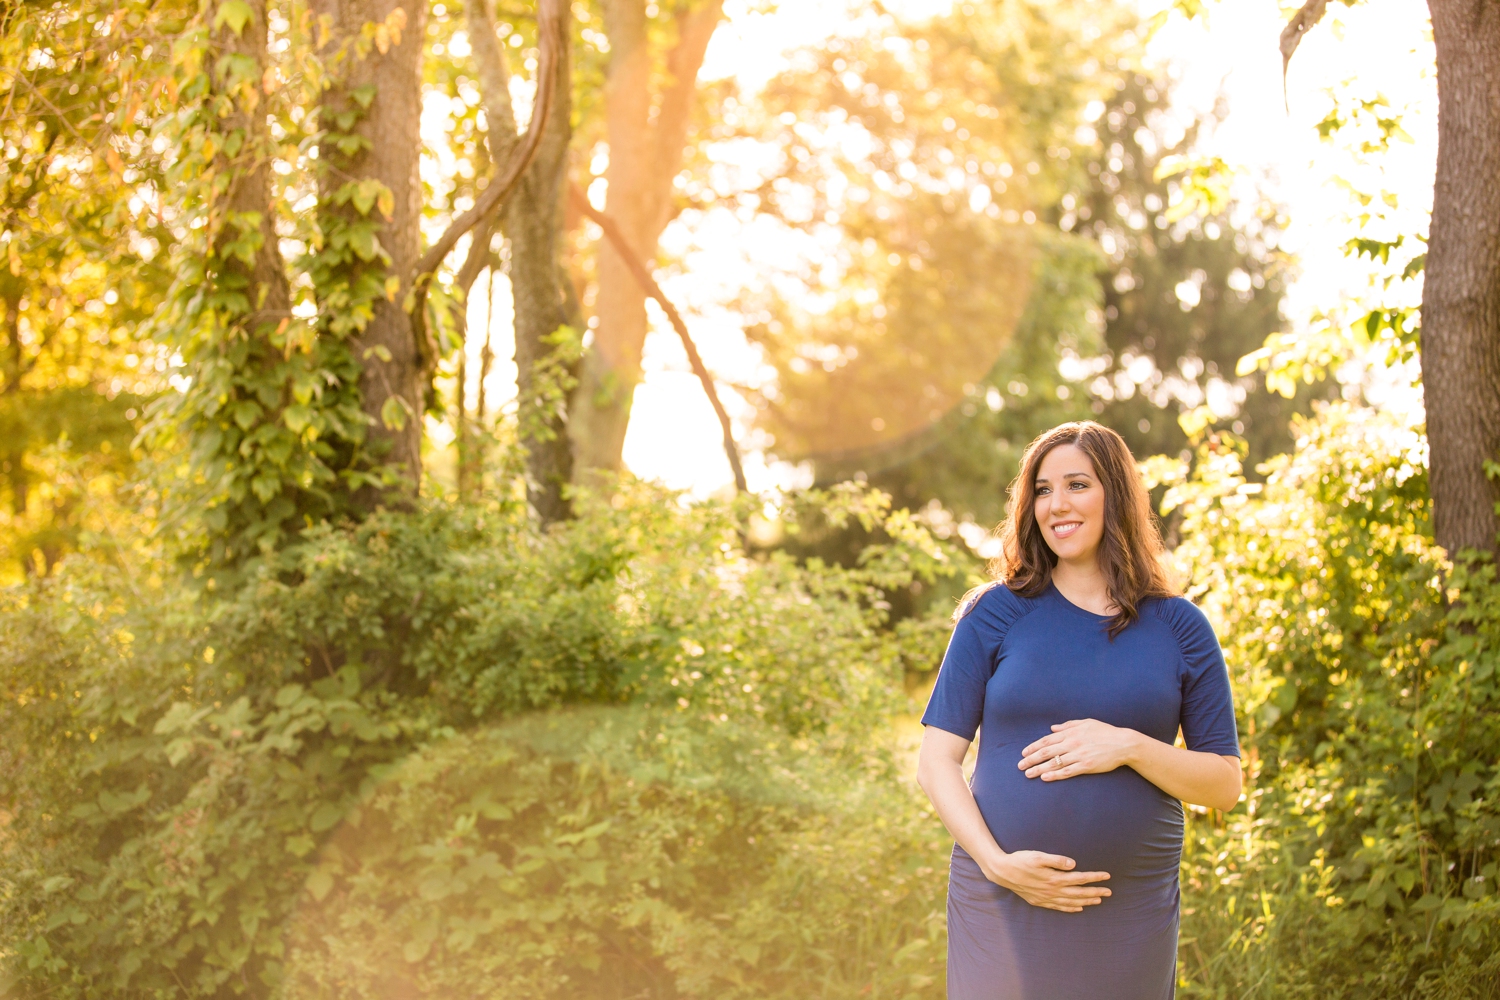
[[646, 154]]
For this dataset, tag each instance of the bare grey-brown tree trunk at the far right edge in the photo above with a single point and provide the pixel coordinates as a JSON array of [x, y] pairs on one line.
[[1462, 290]]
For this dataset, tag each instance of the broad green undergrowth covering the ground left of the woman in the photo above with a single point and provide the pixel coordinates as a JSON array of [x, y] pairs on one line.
[[190, 771]]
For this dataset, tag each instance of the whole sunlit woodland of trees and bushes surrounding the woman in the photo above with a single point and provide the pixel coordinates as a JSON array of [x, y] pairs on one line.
[[329, 674]]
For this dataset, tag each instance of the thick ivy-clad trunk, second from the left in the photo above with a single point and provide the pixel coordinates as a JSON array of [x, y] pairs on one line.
[[380, 88]]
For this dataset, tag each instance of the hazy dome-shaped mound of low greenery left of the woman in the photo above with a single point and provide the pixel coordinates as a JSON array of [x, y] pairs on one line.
[[623, 852]]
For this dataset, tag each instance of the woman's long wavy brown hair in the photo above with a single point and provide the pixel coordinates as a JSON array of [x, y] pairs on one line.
[[1132, 555]]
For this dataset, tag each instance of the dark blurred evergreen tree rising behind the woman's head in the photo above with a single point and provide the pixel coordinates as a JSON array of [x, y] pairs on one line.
[[1189, 289]]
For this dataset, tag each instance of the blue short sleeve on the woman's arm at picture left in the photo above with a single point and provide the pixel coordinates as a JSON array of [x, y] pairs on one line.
[[958, 701]]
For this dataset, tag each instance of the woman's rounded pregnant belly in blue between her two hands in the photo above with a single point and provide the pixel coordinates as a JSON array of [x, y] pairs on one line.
[[1114, 822]]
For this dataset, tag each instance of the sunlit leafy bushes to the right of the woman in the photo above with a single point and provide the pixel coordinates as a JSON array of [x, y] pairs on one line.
[[1366, 857]]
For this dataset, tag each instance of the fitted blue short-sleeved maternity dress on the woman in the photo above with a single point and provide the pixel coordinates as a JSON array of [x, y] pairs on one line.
[[1015, 668]]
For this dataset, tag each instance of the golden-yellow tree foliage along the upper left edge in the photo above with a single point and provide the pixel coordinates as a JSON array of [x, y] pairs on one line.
[[82, 266]]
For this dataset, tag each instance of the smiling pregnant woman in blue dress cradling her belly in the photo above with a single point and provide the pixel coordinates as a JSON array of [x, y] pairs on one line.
[[1078, 668]]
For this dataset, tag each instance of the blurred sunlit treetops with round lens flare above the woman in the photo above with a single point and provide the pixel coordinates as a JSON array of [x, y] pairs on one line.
[[995, 149]]
